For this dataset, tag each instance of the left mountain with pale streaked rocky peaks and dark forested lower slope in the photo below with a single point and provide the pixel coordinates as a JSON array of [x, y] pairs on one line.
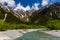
[[8, 14]]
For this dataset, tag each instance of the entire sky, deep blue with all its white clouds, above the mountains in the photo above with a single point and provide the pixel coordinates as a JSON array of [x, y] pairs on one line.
[[27, 4]]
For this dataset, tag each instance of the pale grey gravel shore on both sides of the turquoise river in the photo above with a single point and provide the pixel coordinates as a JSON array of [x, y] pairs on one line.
[[13, 34]]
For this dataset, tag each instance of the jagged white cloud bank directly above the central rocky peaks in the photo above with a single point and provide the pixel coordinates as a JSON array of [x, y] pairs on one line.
[[19, 6]]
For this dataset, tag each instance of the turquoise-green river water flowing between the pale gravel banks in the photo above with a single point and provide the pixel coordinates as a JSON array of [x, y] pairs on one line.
[[37, 35]]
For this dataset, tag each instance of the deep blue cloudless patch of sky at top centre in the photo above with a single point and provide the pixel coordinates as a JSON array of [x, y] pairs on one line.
[[28, 2]]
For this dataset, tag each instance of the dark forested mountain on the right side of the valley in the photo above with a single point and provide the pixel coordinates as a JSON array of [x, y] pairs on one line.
[[48, 12]]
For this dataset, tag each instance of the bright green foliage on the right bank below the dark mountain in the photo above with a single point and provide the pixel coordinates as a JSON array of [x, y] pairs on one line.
[[54, 24]]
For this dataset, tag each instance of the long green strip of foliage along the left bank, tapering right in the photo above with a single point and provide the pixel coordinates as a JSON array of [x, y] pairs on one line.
[[9, 26]]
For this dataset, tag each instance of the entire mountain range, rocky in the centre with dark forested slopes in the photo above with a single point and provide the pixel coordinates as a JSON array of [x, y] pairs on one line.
[[48, 12]]
